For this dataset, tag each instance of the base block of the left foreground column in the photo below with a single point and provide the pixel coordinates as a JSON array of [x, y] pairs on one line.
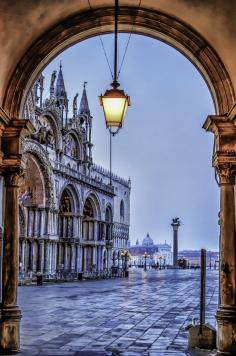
[[10, 330]]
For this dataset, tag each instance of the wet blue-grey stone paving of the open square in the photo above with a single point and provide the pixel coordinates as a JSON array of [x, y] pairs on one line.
[[145, 314]]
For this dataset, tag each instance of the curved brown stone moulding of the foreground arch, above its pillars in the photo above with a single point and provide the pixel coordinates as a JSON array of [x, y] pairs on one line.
[[131, 19]]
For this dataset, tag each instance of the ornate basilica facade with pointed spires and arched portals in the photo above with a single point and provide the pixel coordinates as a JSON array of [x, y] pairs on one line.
[[72, 217]]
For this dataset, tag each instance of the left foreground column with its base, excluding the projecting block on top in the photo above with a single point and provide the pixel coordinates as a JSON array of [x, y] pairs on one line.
[[10, 312]]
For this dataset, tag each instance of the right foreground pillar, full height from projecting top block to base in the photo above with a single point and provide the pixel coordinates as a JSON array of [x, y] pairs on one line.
[[224, 161]]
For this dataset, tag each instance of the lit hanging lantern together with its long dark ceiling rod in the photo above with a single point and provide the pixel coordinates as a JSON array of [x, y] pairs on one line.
[[115, 102]]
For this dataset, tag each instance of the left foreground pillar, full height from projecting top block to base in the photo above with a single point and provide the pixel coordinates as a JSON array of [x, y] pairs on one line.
[[13, 134]]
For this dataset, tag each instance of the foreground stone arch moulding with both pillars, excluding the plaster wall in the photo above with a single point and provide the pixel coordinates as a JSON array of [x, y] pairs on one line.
[[175, 32]]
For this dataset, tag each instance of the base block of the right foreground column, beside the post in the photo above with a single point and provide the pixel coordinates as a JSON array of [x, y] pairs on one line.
[[226, 319]]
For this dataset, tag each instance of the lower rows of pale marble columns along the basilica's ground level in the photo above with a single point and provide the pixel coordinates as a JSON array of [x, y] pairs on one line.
[[62, 242]]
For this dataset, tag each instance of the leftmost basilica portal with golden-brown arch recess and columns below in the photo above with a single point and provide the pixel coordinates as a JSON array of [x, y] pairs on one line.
[[34, 204]]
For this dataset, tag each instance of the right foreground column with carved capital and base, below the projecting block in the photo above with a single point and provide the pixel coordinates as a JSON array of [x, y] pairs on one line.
[[226, 313]]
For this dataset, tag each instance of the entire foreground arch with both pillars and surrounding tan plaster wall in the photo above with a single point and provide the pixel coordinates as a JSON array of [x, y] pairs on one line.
[[208, 41]]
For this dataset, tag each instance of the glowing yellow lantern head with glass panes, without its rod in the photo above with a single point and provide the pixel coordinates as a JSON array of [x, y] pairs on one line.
[[115, 104]]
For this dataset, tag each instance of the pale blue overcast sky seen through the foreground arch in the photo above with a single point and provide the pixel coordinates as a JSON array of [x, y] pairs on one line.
[[162, 146]]
